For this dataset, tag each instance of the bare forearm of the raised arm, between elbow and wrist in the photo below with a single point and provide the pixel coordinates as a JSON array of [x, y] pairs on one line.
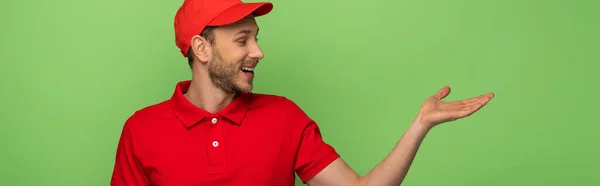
[[393, 169]]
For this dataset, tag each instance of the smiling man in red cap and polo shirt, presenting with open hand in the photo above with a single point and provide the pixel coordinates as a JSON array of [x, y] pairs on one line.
[[215, 131]]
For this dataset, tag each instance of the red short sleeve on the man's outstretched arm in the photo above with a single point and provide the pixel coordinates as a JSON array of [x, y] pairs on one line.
[[313, 154]]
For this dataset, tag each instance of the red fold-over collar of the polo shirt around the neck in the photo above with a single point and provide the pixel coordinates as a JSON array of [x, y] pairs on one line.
[[190, 115]]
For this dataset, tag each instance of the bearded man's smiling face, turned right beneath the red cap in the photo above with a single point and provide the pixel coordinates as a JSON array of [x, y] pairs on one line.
[[234, 56]]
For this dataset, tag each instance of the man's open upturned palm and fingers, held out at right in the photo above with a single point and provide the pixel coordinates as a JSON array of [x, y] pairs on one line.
[[435, 111]]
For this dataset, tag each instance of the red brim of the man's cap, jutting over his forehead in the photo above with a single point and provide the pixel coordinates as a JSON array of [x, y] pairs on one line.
[[240, 11]]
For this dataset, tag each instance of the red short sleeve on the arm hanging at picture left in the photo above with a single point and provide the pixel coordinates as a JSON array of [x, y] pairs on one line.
[[127, 170]]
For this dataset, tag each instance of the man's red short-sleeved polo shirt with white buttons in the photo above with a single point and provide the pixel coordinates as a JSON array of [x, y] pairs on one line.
[[257, 140]]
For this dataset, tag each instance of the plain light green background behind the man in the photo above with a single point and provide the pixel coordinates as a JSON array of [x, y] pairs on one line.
[[73, 71]]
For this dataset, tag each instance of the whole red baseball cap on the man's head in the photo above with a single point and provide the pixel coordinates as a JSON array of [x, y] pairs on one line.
[[194, 15]]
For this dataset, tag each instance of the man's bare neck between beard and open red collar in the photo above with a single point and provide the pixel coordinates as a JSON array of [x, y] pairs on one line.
[[203, 94]]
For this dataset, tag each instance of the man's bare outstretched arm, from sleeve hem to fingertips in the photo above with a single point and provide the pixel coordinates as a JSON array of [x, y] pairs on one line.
[[393, 169]]
